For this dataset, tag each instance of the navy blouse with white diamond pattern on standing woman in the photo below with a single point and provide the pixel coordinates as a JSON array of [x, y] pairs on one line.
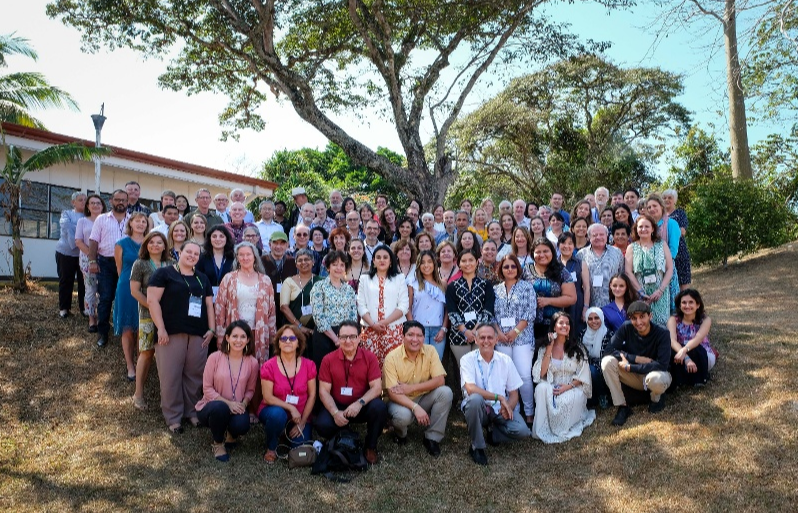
[[468, 306]]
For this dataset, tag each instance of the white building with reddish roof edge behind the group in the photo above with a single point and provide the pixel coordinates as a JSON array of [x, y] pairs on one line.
[[48, 192]]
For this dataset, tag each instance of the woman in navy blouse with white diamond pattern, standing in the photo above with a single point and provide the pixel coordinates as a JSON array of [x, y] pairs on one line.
[[470, 302]]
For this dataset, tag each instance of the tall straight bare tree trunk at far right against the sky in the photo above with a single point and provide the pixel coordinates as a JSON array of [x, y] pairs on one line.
[[737, 117]]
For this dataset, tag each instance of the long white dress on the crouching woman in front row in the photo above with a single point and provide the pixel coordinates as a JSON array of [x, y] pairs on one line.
[[556, 422]]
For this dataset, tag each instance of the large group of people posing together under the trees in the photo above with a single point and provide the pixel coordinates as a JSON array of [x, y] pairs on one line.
[[322, 315]]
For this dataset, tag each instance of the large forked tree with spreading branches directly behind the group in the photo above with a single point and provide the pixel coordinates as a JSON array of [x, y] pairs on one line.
[[416, 61]]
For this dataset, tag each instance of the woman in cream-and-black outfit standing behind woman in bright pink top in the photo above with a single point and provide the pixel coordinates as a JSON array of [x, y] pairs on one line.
[[296, 294]]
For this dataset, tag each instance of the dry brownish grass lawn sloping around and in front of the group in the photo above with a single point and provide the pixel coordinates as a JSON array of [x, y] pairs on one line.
[[73, 441]]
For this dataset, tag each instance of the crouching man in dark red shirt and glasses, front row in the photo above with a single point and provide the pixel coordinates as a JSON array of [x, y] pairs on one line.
[[350, 391]]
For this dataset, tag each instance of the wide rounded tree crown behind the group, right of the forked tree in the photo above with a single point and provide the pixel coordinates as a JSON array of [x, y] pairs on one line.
[[577, 124]]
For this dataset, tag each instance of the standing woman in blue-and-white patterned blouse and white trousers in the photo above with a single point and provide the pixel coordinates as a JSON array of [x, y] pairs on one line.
[[514, 314]]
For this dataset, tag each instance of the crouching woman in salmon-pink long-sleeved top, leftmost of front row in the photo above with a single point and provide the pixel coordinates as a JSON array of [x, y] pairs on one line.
[[229, 383]]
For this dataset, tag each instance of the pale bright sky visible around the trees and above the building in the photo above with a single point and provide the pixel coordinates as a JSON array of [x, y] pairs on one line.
[[143, 117]]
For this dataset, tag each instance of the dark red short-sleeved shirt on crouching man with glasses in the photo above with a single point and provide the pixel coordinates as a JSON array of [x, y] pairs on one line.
[[340, 372]]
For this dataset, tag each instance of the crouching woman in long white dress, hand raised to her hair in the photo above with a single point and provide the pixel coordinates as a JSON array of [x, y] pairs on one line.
[[563, 384]]
